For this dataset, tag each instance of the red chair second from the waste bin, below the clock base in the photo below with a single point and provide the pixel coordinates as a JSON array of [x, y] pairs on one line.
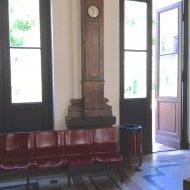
[[79, 146]]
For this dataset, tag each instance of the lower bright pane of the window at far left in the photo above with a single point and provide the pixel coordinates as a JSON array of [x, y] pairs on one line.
[[26, 83]]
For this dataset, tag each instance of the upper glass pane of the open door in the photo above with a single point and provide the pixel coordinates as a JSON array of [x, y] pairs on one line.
[[169, 32]]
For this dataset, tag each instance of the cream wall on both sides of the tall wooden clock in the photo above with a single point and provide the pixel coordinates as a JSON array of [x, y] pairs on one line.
[[67, 56]]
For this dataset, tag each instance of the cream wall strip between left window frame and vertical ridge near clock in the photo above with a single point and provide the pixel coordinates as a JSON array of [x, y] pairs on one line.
[[62, 59]]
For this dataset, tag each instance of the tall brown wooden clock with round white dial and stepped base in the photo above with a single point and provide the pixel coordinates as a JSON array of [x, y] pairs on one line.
[[92, 110]]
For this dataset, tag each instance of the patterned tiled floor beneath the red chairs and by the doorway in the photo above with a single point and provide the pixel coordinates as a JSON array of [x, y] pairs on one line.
[[159, 171]]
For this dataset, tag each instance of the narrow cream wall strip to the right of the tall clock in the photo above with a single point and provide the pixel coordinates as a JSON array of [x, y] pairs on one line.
[[111, 54]]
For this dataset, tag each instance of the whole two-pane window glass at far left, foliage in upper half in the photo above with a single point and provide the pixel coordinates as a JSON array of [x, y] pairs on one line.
[[25, 51]]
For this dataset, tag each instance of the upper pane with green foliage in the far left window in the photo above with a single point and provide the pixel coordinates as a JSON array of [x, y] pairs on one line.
[[24, 27]]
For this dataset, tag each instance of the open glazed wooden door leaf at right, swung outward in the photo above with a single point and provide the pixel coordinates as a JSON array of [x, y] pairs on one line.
[[168, 75]]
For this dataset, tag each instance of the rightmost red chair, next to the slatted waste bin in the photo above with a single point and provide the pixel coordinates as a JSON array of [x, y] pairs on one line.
[[105, 147]]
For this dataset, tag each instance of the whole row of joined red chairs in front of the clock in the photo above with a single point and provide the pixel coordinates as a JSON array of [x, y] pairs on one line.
[[59, 149]]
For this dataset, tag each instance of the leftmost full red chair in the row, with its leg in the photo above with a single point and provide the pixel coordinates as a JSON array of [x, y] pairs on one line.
[[17, 146]]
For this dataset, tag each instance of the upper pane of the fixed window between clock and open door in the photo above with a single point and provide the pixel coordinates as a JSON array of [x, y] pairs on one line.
[[135, 25]]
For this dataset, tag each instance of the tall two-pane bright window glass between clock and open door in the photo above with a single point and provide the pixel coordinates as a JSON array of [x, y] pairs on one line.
[[135, 49]]
